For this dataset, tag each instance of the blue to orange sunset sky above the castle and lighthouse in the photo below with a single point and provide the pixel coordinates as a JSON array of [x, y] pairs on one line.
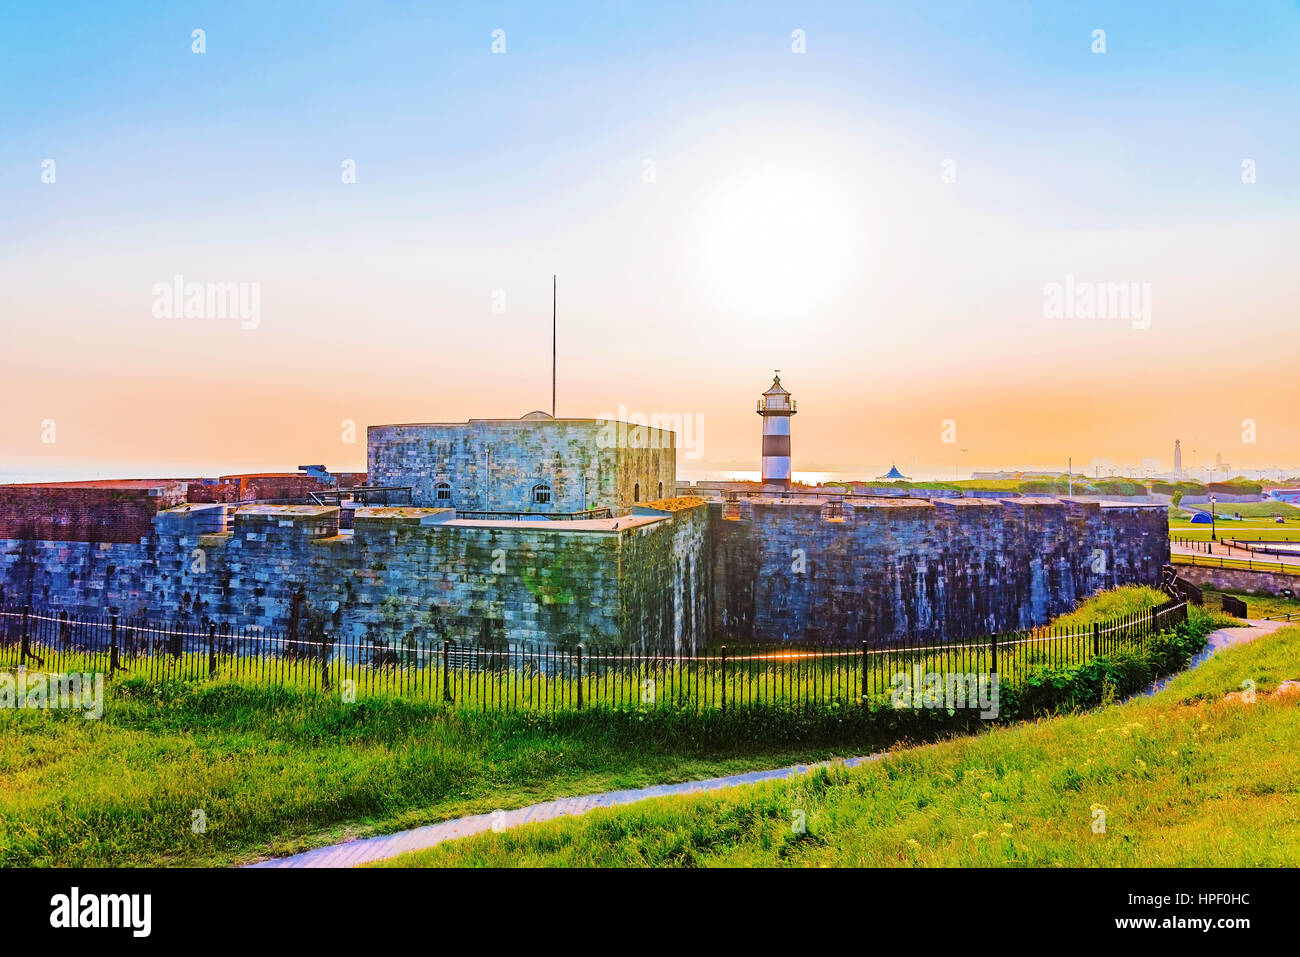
[[891, 203]]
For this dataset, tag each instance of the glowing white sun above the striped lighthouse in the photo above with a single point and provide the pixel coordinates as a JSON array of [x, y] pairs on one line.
[[775, 244]]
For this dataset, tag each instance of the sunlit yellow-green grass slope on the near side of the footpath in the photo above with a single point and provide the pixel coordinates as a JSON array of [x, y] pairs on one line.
[[1184, 778]]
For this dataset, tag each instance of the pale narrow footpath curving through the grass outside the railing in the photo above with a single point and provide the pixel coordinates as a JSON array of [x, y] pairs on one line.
[[367, 850]]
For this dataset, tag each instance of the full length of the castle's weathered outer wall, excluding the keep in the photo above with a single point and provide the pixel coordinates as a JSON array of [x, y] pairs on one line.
[[678, 573]]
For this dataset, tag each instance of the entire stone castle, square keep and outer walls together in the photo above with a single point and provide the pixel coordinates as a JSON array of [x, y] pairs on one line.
[[543, 530]]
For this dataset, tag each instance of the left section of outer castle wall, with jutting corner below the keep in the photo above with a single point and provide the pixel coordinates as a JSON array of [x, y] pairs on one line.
[[405, 577]]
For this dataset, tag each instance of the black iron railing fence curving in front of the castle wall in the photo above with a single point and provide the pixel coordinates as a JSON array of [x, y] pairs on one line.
[[508, 677]]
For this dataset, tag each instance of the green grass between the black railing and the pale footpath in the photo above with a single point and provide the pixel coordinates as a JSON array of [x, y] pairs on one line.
[[279, 770]]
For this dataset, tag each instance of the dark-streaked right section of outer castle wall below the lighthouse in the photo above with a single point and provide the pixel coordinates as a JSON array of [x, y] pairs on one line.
[[891, 570]]
